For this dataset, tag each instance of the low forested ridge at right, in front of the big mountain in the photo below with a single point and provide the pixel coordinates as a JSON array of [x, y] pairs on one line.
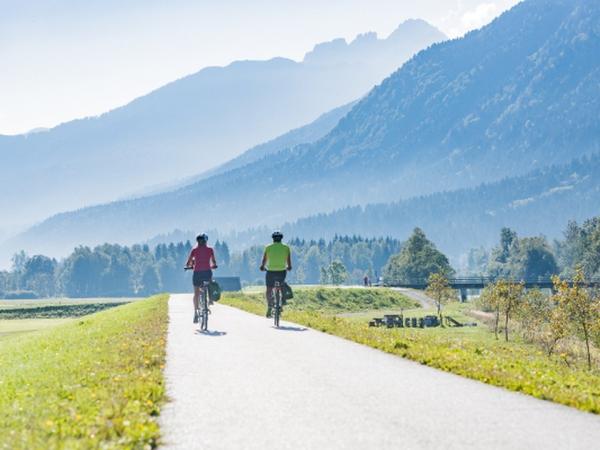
[[541, 202]]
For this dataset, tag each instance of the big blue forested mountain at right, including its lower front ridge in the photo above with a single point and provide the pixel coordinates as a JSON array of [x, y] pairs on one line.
[[516, 96]]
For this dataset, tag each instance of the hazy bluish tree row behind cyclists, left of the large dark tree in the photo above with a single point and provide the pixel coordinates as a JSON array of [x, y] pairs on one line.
[[115, 270]]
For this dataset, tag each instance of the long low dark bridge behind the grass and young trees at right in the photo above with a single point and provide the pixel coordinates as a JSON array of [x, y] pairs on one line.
[[464, 284]]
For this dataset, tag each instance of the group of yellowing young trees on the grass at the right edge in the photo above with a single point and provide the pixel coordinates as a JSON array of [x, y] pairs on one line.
[[571, 315]]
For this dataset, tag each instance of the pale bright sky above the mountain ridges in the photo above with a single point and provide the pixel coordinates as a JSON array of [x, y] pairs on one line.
[[66, 59]]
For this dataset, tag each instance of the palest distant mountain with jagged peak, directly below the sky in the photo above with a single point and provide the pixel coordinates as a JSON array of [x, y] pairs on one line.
[[191, 125]]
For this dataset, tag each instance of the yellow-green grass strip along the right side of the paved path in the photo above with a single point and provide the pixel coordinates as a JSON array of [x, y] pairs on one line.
[[471, 351]]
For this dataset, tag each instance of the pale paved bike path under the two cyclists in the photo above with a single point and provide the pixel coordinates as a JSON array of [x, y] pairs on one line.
[[247, 385]]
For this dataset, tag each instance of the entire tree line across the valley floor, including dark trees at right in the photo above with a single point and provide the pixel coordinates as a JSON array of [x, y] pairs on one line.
[[116, 270]]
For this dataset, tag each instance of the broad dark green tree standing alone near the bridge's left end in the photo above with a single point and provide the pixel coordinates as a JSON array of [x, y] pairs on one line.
[[418, 259]]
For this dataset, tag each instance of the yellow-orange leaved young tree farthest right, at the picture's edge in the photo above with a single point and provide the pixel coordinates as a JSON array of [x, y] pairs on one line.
[[579, 307]]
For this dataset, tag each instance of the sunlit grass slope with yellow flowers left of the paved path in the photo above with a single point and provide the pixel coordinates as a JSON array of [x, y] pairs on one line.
[[93, 383]]
